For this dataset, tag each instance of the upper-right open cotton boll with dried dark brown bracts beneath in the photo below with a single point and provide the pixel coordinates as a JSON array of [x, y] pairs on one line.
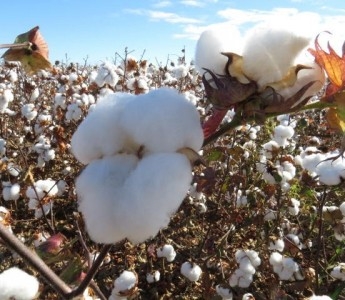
[[288, 80]]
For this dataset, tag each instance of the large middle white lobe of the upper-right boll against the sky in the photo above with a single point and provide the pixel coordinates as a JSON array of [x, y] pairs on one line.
[[269, 53]]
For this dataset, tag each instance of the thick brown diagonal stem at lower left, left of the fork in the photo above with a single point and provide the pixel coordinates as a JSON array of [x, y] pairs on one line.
[[35, 261]]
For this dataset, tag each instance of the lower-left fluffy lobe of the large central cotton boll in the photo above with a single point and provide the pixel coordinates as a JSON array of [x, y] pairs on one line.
[[99, 191]]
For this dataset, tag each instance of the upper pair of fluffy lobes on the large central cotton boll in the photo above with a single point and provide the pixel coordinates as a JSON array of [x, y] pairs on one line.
[[159, 121]]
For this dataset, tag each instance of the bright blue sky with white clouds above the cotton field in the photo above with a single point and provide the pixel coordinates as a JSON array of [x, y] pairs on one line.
[[96, 30]]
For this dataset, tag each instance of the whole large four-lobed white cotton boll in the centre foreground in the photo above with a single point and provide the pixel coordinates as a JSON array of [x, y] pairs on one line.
[[128, 145]]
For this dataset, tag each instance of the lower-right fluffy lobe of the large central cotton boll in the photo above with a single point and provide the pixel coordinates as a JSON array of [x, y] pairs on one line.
[[151, 200]]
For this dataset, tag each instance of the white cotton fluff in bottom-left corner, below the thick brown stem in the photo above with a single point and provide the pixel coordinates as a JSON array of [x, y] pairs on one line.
[[17, 284]]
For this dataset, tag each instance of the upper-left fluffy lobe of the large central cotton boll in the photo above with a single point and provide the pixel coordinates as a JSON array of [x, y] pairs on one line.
[[100, 134]]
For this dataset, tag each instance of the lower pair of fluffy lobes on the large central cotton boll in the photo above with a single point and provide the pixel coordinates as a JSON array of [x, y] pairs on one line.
[[122, 192]]
